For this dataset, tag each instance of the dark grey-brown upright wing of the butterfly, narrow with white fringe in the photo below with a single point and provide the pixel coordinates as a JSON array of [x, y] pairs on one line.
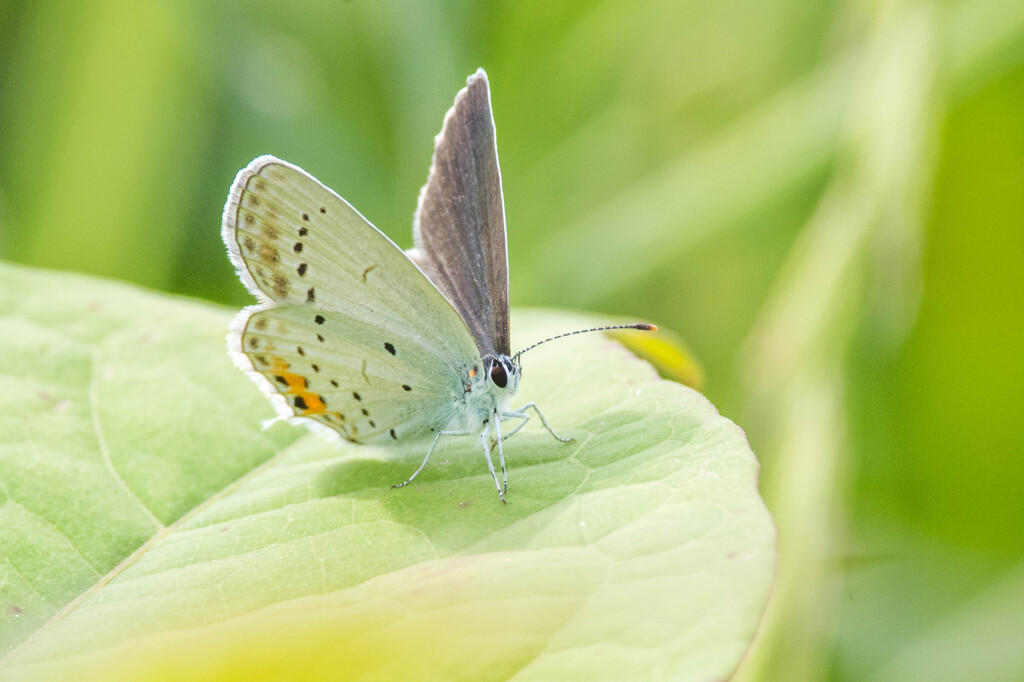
[[459, 230]]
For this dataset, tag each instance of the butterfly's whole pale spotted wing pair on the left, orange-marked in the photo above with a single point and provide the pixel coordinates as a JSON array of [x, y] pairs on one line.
[[350, 334]]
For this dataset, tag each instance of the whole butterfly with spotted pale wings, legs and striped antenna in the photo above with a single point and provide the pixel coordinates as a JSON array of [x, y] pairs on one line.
[[356, 338]]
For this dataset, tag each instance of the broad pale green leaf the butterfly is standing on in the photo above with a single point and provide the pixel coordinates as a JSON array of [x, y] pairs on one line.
[[150, 527]]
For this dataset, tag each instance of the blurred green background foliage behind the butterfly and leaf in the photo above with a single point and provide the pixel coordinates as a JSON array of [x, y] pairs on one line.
[[825, 199]]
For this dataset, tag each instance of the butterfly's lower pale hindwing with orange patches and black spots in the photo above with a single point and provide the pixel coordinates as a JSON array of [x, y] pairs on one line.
[[355, 378]]
